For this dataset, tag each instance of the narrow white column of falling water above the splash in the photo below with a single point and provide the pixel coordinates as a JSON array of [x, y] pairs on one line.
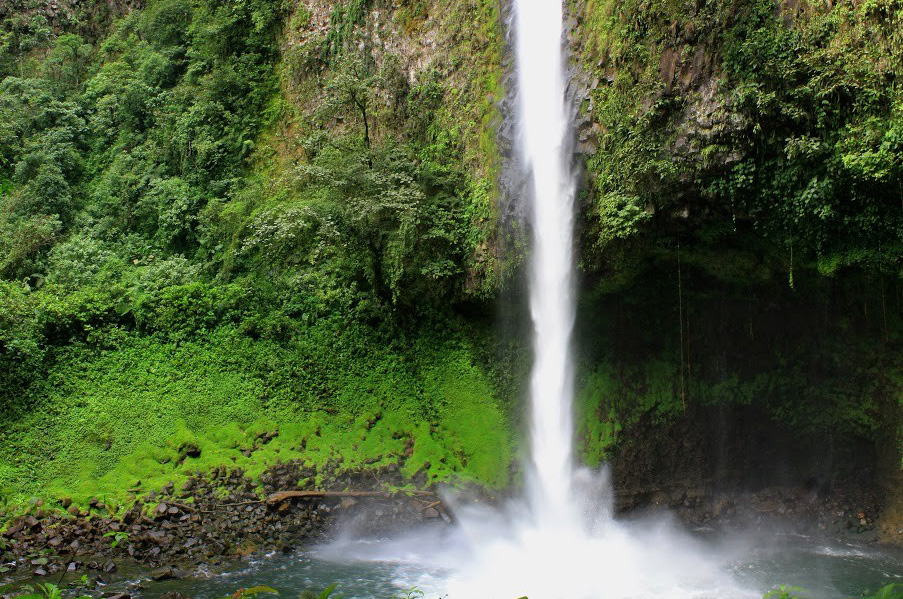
[[544, 135]]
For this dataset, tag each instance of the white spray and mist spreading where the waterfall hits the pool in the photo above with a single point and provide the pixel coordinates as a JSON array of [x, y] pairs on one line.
[[506, 553]]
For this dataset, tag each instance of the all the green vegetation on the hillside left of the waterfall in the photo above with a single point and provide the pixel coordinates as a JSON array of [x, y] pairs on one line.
[[210, 228]]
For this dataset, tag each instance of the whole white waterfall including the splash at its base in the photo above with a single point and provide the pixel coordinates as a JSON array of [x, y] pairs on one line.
[[561, 542]]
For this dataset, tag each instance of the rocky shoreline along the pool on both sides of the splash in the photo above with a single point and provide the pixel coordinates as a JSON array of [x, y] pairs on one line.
[[222, 515]]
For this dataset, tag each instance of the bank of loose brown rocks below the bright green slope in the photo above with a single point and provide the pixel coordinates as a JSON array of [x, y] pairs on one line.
[[210, 518]]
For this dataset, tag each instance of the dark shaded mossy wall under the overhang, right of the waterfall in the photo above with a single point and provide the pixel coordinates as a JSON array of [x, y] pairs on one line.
[[819, 358]]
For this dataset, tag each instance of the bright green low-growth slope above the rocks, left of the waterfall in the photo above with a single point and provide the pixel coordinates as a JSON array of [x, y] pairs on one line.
[[107, 419]]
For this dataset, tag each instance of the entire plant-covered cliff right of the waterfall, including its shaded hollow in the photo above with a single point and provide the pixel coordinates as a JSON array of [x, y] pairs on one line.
[[743, 225]]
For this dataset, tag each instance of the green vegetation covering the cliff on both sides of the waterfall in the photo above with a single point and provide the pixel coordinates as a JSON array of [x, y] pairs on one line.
[[219, 218]]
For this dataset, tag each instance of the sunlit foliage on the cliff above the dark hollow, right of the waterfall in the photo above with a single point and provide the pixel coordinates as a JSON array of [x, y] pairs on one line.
[[777, 130]]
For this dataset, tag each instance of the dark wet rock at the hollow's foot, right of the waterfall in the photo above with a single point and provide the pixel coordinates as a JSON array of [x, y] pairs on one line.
[[738, 467]]
